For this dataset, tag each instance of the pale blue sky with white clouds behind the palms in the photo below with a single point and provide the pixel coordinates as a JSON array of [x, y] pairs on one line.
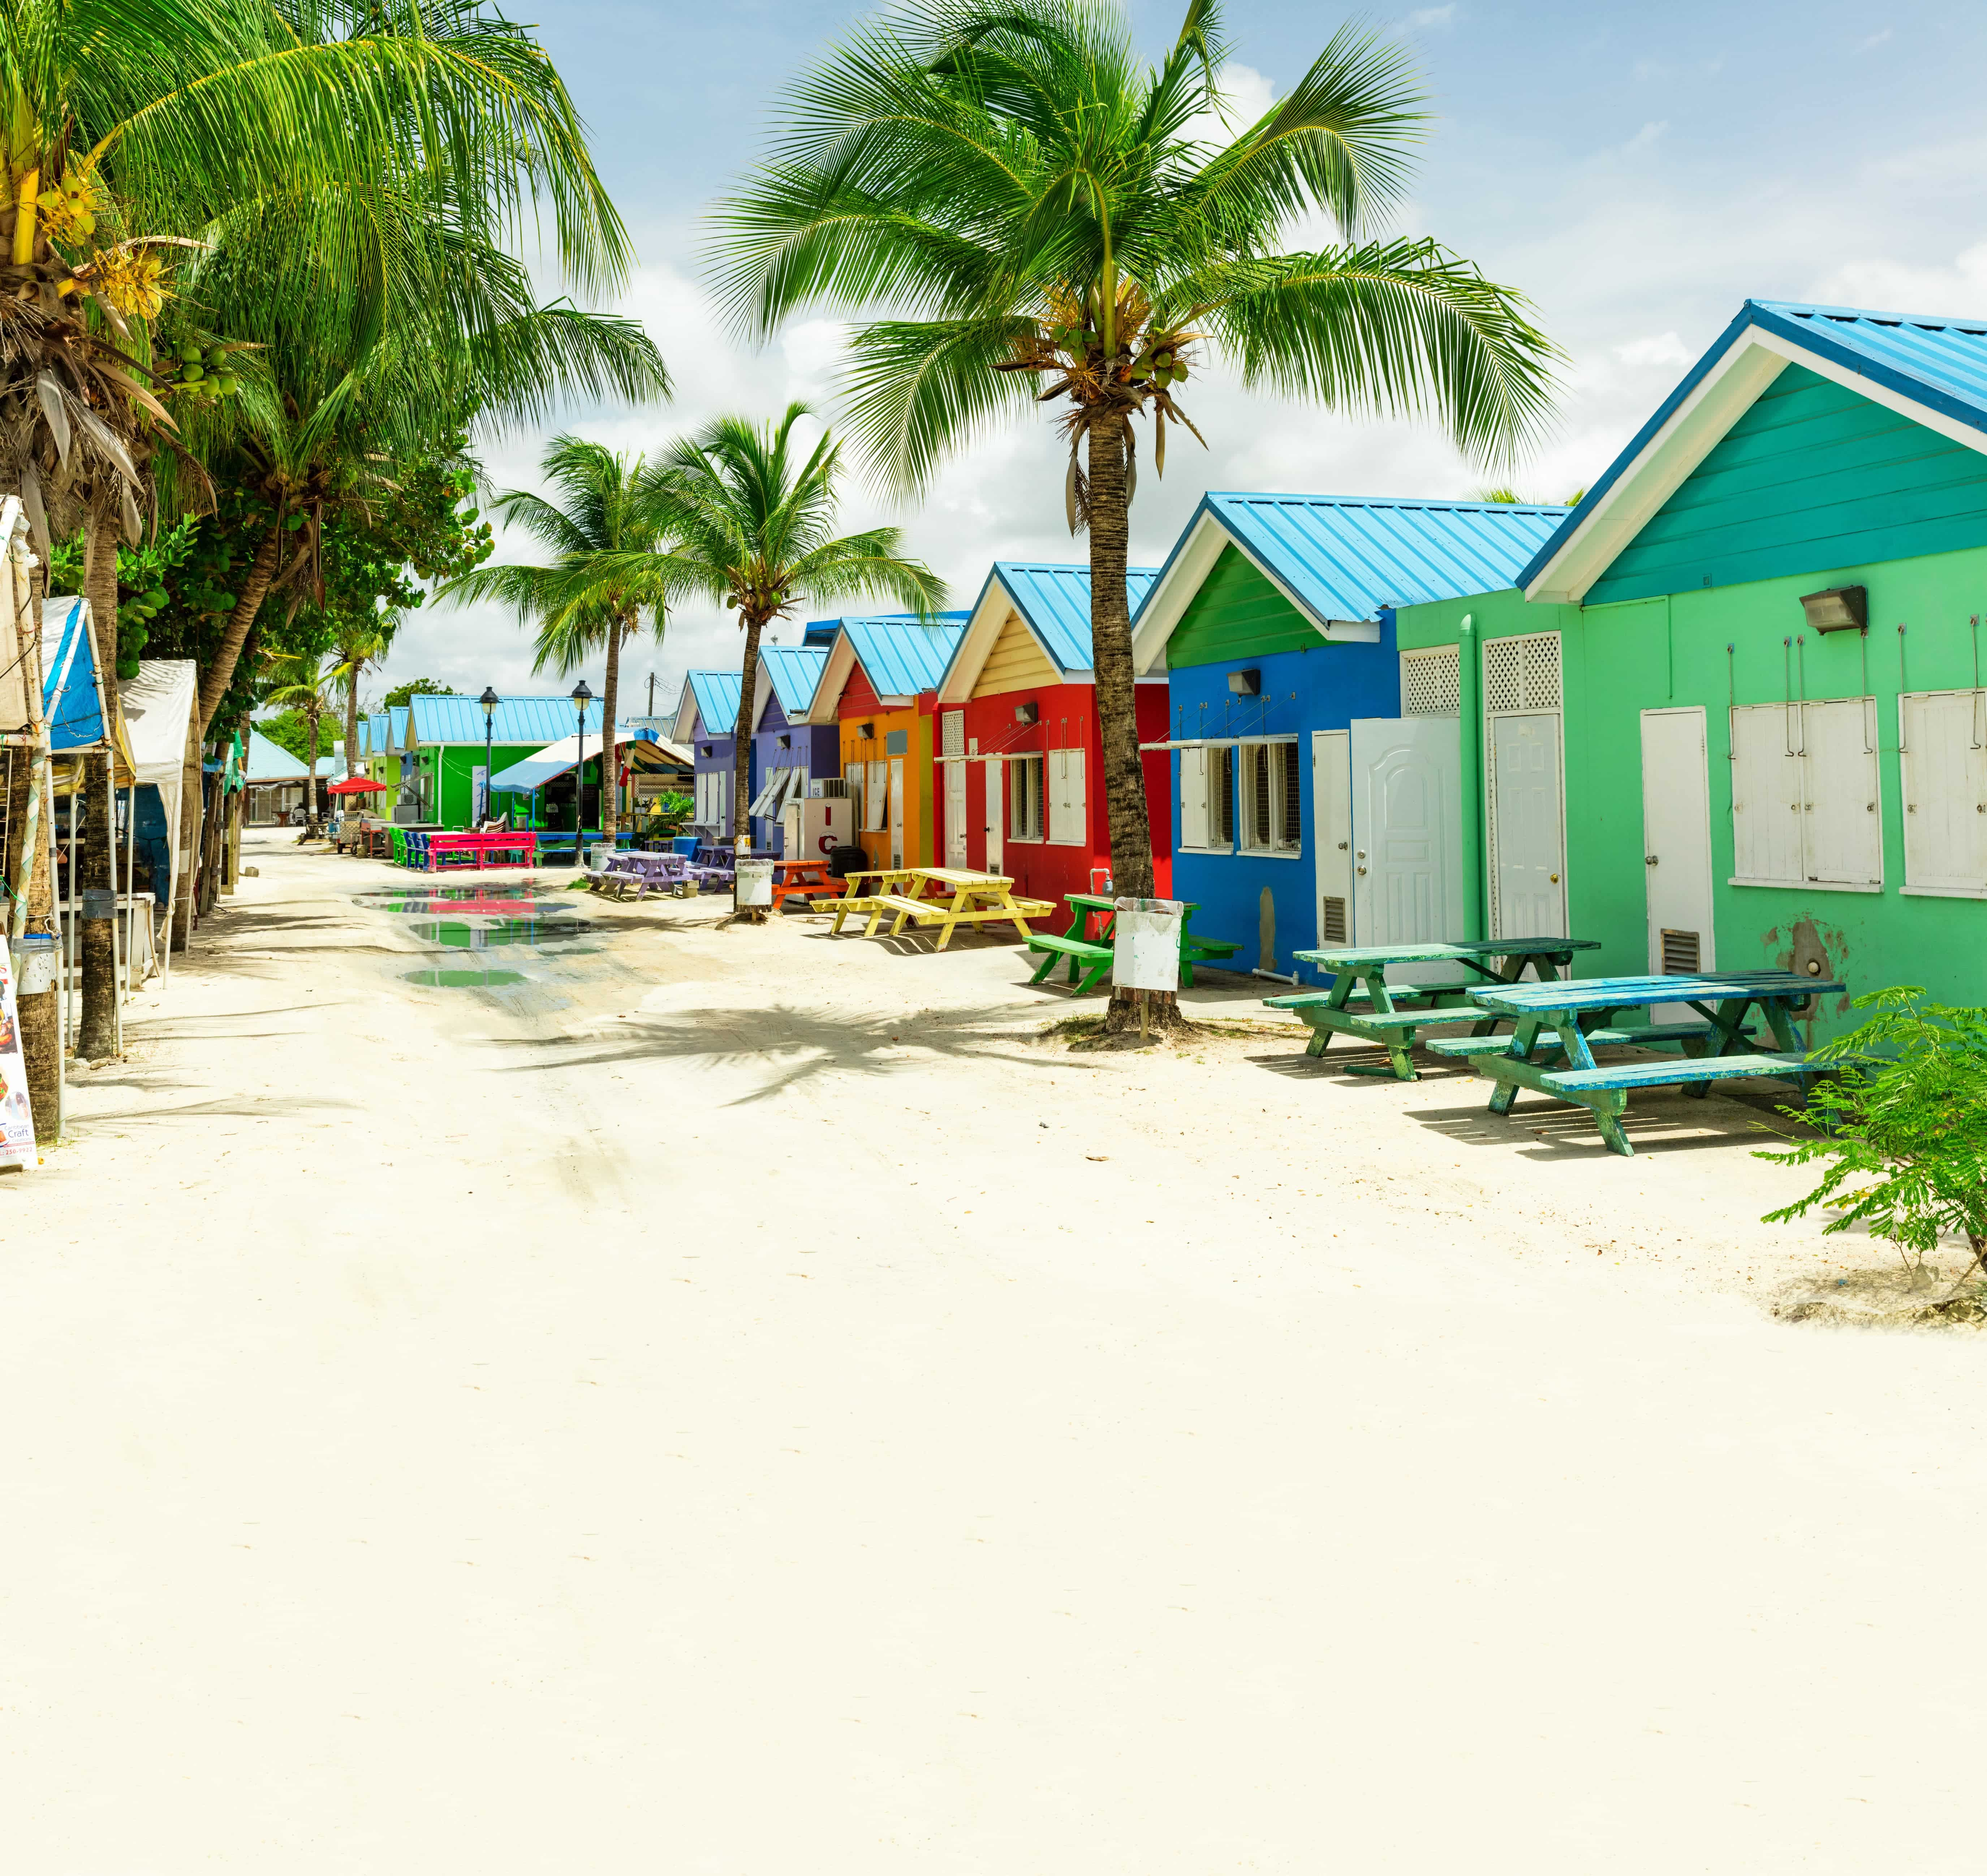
[[1634, 172]]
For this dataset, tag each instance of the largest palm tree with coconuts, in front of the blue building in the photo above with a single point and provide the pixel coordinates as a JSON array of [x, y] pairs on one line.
[[1056, 224]]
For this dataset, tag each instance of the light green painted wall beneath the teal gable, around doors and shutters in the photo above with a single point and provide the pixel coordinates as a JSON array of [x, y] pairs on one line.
[[1630, 657]]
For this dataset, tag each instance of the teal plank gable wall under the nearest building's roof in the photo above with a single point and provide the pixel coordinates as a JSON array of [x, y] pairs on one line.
[[1811, 474]]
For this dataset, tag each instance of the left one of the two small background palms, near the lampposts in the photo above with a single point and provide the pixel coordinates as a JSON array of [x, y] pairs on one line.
[[609, 569]]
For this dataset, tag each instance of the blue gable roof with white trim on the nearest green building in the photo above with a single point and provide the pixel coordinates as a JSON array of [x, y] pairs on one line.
[[1932, 371]]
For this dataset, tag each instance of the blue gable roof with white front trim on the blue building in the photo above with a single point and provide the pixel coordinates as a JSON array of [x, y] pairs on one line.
[[1344, 559]]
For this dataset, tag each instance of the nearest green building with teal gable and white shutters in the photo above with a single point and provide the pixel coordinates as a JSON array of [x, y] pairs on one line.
[[1732, 714]]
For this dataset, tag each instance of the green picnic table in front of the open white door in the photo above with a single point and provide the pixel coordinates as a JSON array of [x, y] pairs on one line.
[[1368, 1009]]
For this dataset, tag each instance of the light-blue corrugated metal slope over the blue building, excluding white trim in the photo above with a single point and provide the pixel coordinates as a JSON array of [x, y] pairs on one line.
[[1352, 557]]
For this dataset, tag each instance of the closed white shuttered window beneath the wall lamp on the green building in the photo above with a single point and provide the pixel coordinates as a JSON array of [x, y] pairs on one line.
[[1805, 796]]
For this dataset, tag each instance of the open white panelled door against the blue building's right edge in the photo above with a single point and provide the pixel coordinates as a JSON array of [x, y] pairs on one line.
[[1408, 834]]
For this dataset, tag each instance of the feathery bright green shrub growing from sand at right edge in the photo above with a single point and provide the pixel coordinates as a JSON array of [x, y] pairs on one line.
[[1903, 1128]]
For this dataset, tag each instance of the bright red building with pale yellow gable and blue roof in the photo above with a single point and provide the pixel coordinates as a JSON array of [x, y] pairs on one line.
[[1018, 754]]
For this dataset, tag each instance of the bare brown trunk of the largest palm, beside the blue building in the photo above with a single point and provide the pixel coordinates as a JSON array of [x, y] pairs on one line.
[[1118, 701]]
